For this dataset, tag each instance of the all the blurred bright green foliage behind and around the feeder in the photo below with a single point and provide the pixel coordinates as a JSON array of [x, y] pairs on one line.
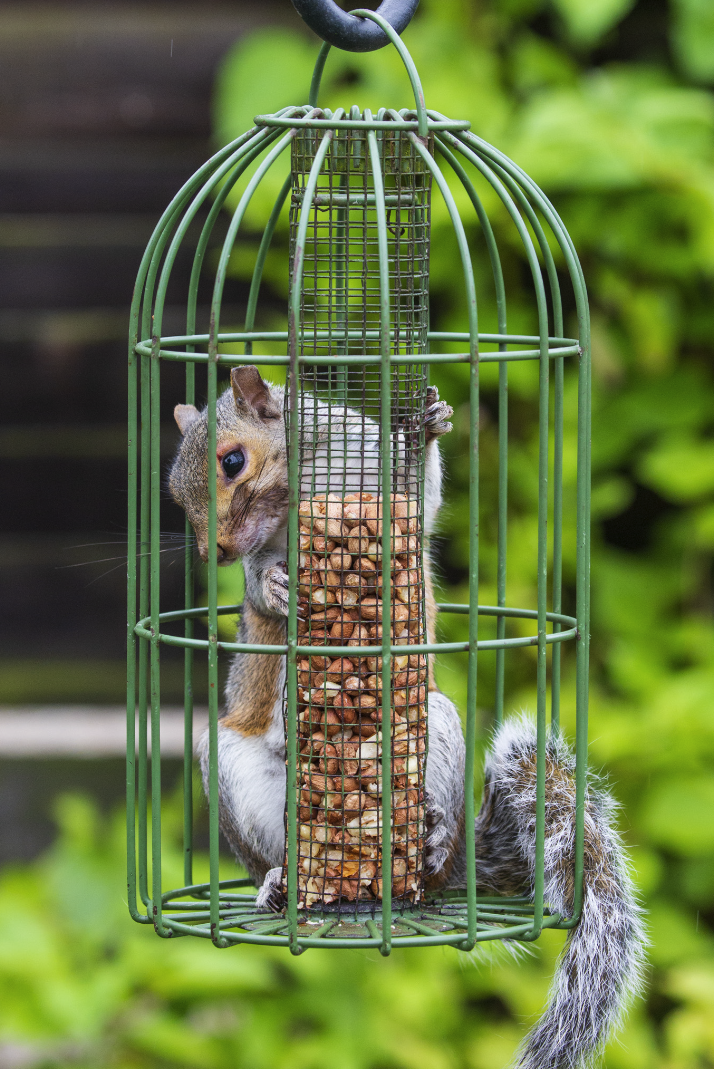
[[627, 152]]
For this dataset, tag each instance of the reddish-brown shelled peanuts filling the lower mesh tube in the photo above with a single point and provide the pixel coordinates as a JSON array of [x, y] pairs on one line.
[[340, 717]]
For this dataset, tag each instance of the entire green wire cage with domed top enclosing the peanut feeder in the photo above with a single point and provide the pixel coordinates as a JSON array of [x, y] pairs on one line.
[[359, 338]]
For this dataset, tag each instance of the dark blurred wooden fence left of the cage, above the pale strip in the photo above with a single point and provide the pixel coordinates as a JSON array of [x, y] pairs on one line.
[[105, 110]]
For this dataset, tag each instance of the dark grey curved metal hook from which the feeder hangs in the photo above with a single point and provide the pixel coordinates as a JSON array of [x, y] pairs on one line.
[[350, 33]]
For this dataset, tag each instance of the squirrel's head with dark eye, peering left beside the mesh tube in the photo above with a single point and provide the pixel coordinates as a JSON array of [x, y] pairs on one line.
[[252, 468]]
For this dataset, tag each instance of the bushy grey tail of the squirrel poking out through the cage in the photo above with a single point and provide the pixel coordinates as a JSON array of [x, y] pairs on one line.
[[601, 968]]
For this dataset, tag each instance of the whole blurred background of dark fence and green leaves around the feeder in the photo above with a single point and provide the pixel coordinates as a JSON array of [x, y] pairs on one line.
[[105, 111]]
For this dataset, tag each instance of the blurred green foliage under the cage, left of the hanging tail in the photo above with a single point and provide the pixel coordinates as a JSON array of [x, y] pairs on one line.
[[82, 986]]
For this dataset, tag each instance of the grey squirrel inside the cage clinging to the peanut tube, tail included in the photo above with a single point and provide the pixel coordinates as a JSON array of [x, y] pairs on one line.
[[601, 967]]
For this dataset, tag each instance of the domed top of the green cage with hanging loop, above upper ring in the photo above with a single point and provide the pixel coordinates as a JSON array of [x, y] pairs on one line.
[[321, 135]]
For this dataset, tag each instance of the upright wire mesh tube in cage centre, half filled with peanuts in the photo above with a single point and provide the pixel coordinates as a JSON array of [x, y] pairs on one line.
[[362, 718]]
